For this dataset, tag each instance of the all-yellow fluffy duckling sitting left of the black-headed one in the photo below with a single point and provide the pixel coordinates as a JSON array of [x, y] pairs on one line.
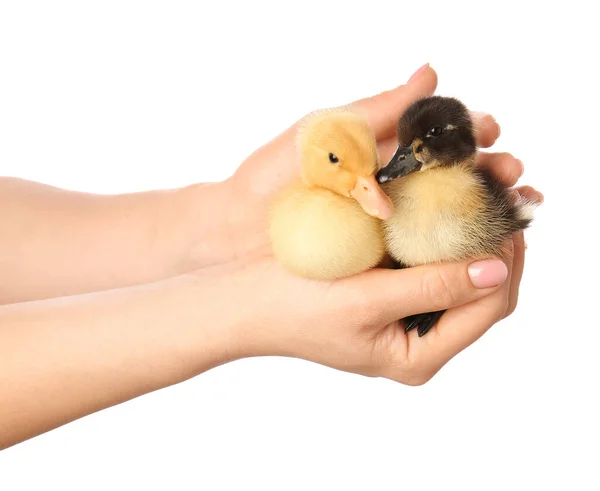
[[327, 225]]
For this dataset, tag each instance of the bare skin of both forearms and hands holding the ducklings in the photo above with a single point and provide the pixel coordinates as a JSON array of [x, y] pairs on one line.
[[152, 278]]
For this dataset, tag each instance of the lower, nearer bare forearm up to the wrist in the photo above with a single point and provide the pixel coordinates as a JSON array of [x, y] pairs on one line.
[[61, 359]]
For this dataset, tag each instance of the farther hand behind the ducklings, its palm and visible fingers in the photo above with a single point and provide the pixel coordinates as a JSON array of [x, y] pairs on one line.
[[275, 165]]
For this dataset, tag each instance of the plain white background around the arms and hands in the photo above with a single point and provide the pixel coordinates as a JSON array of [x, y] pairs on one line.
[[120, 96]]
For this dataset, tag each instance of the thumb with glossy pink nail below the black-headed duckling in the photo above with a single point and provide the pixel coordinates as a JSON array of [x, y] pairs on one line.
[[395, 294]]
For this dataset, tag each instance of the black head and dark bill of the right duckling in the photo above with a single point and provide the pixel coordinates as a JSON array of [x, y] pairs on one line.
[[433, 132]]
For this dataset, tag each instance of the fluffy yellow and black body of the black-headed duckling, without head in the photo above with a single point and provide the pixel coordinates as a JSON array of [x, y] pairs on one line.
[[450, 214]]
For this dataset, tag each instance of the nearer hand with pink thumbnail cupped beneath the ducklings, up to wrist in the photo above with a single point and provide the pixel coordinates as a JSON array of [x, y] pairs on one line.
[[352, 324]]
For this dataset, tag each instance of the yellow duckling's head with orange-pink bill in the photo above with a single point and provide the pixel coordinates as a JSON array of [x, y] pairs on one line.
[[339, 153]]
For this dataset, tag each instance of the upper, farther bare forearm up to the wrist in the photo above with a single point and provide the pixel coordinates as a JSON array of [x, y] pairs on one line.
[[55, 242]]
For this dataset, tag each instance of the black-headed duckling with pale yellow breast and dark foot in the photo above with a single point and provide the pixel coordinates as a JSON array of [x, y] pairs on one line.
[[445, 209]]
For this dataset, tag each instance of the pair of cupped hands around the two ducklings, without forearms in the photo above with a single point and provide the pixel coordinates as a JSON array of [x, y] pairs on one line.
[[352, 324]]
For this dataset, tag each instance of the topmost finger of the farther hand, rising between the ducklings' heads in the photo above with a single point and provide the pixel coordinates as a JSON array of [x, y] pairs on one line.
[[383, 110]]
